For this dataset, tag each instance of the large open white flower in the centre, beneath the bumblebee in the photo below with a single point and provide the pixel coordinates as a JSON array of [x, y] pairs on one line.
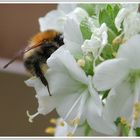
[[73, 95]]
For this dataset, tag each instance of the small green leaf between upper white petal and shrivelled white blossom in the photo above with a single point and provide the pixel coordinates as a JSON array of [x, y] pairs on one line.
[[85, 29]]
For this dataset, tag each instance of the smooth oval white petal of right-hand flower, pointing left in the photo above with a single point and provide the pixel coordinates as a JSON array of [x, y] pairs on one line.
[[109, 73]]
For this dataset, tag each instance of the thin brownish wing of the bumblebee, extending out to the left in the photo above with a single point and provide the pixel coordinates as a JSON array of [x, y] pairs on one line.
[[20, 53]]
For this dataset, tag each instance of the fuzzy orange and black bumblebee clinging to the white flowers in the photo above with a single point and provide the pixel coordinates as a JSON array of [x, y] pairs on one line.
[[38, 50]]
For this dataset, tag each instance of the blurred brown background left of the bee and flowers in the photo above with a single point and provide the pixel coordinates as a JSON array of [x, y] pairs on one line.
[[18, 22]]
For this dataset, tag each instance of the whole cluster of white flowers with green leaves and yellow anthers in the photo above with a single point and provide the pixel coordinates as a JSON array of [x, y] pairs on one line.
[[94, 78]]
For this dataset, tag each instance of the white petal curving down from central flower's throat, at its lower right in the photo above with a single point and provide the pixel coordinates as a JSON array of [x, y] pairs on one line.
[[94, 113]]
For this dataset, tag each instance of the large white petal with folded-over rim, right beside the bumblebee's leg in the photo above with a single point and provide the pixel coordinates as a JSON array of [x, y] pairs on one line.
[[64, 75]]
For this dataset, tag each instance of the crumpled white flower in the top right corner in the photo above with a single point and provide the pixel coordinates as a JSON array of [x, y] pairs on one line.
[[131, 20]]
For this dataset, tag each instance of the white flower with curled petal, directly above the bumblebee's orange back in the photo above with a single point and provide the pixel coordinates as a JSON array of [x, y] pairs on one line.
[[57, 18]]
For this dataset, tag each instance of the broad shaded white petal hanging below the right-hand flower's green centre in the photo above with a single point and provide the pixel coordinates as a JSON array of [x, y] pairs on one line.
[[119, 103]]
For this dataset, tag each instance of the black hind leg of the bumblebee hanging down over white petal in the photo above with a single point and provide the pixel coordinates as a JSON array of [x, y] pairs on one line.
[[39, 74]]
